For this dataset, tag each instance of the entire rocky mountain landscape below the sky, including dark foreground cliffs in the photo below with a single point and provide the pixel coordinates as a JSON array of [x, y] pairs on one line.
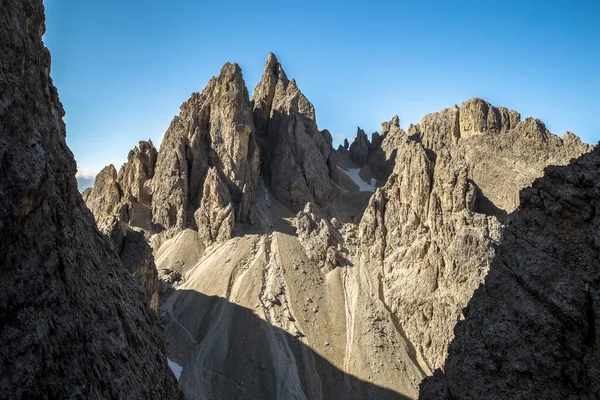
[[247, 258]]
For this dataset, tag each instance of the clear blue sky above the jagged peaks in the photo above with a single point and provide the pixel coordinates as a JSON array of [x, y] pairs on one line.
[[123, 68]]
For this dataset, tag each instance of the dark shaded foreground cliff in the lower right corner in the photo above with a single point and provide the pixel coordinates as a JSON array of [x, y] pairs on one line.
[[532, 330]]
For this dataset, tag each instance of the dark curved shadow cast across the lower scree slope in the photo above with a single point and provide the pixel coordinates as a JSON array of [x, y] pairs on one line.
[[228, 352]]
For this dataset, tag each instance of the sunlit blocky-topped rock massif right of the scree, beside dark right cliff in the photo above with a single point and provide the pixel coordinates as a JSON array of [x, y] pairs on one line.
[[431, 231]]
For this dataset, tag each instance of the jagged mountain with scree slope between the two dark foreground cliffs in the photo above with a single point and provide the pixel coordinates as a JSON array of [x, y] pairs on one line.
[[290, 270]]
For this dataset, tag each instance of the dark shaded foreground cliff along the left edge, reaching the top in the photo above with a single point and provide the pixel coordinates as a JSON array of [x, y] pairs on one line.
[[74, 323]]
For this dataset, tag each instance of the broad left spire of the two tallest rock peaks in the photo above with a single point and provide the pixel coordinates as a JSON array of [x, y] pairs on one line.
[[213, 130]]
